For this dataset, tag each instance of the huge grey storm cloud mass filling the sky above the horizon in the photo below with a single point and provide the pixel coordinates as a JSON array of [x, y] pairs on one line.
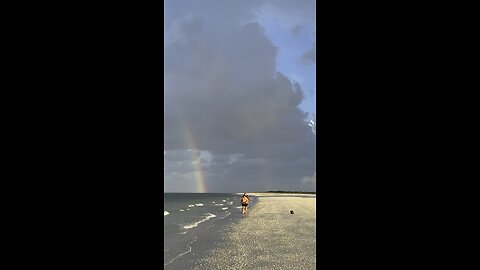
[[228, 111]]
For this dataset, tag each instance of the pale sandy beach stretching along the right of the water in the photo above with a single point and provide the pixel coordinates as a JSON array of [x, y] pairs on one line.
[[270, 237]]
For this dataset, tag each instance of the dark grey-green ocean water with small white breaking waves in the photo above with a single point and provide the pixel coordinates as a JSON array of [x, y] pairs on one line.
[[194, 223]]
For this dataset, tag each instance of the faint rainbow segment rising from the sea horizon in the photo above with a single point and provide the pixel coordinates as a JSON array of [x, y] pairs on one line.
[[192, 148]]
